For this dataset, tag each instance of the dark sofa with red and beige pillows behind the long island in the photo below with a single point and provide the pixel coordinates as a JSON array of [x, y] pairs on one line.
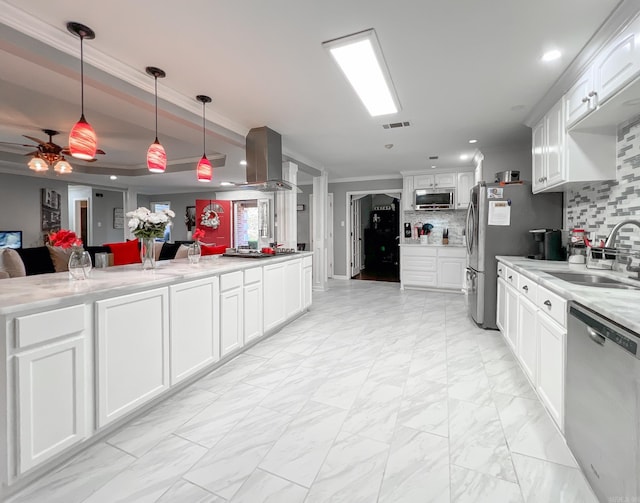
[[49, 259]]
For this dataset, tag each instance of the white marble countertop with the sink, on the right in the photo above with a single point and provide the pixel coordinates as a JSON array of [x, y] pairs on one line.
[[619, 305]]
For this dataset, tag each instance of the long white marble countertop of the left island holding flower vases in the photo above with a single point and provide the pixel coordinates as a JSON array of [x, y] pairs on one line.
[[49, 290]]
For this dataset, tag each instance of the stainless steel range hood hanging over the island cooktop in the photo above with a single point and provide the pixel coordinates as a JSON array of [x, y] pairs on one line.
[[264, 161]]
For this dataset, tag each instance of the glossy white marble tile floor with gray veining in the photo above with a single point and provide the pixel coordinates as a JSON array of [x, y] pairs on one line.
[[375, 395]]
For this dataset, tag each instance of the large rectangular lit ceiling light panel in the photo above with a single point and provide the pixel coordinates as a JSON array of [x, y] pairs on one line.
[[360, 58]]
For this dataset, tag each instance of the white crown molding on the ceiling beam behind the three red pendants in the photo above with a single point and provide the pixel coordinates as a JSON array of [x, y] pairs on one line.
[[61, 40]]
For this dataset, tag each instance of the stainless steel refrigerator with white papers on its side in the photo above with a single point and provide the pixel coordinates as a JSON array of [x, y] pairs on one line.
[[498, 222]]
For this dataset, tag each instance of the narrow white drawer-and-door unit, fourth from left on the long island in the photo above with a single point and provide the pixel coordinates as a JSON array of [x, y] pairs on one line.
[[231, 312]]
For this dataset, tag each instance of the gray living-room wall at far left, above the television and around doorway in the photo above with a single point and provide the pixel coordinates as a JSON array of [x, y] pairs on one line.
[[20, 205]]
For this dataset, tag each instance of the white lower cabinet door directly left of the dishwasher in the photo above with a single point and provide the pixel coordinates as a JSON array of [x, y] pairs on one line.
[[550, 371]]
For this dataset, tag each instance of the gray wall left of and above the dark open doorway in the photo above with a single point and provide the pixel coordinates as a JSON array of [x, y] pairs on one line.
[[340, 214]]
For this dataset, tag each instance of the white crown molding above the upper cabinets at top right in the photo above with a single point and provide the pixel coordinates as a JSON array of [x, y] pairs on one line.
[[625, 12]]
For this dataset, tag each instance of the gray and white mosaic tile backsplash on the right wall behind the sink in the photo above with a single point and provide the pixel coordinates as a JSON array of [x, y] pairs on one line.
[[598, 207]]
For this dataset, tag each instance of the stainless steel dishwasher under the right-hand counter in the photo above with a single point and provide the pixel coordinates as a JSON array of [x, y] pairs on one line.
[[602, 424]]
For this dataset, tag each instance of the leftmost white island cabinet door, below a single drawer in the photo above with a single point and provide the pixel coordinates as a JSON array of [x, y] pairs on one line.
[[51, 381]]
